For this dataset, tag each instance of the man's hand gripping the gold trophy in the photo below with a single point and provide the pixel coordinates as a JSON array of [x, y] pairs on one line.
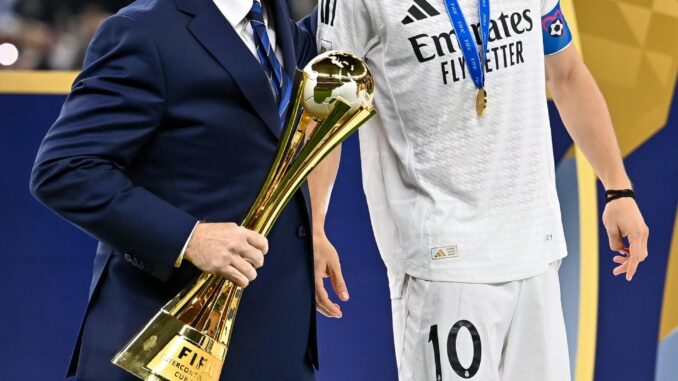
[[228, 250]]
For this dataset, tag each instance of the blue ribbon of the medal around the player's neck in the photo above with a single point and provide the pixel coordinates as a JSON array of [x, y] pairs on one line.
[[475, 61]]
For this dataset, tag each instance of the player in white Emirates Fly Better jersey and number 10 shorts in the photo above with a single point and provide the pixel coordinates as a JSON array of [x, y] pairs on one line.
[[458, 171]]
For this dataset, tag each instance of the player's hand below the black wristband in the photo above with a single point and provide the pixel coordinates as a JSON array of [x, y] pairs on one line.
[[622, 219]]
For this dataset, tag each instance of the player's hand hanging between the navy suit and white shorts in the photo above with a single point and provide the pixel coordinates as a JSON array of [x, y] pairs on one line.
[[327, 266]]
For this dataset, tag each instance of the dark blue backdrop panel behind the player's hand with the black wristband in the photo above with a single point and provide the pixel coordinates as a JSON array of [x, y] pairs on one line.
[[629, 312]]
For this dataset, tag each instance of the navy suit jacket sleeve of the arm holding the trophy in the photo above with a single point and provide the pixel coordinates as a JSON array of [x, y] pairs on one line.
[[115, 107]]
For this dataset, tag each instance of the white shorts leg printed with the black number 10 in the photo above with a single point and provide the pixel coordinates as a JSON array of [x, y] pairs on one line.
[[455, 331]]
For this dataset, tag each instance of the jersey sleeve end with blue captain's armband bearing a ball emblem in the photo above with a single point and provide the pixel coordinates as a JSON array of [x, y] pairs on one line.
[[556, 33]]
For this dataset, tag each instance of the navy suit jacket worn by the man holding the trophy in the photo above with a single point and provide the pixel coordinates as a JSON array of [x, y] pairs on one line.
[[172, 121]]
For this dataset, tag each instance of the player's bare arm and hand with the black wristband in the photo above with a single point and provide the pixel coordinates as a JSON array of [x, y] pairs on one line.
[[587, 119]]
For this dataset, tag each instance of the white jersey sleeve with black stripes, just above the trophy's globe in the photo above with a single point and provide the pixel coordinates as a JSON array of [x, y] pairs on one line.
[[345, 25]]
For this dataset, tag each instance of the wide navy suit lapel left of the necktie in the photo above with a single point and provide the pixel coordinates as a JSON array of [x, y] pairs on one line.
[[217, 36]]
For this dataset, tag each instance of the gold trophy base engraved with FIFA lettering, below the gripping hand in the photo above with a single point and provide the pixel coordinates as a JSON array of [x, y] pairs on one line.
[[169, 350]]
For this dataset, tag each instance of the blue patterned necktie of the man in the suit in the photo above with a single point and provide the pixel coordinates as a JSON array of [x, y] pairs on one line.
[[282, 84]]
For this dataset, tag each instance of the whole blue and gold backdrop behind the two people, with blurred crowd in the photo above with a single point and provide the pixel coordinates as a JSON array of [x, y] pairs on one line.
[[617, 331]]
